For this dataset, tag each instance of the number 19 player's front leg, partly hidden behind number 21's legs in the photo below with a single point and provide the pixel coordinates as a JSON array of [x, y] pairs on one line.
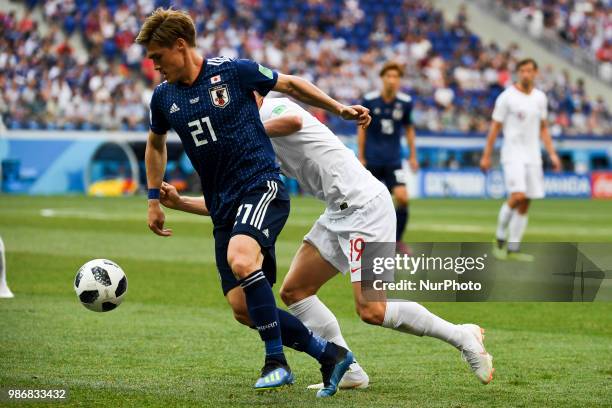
[[308, 272]]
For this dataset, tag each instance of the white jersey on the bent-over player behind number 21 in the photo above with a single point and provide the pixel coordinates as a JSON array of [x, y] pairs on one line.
[[320, 162]]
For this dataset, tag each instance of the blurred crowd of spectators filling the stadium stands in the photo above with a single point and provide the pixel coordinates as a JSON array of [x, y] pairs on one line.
[[45, 82]]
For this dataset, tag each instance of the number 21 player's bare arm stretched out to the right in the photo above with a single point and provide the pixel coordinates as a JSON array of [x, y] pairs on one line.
[[306, 92]]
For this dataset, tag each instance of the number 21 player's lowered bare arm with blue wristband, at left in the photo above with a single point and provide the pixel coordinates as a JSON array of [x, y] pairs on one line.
[[155, 163]]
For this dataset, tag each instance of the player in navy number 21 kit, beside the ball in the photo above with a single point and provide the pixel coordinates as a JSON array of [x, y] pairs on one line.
[[211, 106]]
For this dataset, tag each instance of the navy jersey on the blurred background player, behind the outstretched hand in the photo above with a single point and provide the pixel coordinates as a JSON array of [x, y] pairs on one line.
[[384, 134]]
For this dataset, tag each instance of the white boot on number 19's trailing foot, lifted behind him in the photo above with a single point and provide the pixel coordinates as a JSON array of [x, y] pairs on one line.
[[474, 353]]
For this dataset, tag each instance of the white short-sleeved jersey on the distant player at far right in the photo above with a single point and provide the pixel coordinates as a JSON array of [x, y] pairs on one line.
[[521, 116]]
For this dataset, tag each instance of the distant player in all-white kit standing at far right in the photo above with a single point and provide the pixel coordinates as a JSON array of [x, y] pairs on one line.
[[521, 111]]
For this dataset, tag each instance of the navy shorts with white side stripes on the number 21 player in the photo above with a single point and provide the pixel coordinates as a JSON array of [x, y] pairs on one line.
[[262, 213]]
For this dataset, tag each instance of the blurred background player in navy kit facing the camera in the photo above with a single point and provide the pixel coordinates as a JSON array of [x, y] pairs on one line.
[[379, 145]]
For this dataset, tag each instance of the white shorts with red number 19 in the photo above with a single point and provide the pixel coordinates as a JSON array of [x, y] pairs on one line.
[[340, 239]]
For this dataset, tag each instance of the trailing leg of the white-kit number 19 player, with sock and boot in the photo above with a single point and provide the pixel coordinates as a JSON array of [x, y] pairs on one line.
[[410, 317]]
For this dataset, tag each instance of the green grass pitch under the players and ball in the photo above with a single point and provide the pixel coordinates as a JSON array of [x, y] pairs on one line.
[[174, 342]]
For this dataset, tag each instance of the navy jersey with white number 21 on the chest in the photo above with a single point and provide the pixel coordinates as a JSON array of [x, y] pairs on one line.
[[218, 122]]
